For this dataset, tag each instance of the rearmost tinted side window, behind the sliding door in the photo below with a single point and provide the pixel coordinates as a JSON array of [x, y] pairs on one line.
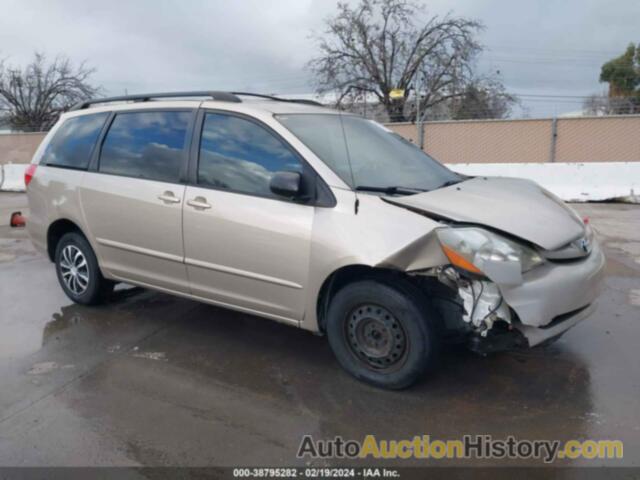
[[73, 143]]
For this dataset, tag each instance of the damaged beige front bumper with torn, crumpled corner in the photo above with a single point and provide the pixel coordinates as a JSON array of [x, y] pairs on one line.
[[550, 300]]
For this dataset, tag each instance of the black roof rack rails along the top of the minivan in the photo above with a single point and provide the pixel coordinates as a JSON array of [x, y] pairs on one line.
[[216, 95]]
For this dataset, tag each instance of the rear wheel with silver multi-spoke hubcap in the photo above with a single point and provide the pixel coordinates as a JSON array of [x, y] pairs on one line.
[[82, 282]]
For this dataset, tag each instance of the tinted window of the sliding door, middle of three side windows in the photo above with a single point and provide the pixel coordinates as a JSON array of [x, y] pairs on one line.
[[148, 145]]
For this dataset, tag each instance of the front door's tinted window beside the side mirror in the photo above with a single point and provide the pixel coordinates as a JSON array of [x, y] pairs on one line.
[[239, 155]]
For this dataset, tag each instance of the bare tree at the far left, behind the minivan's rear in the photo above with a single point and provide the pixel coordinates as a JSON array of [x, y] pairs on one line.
[[34, 97]]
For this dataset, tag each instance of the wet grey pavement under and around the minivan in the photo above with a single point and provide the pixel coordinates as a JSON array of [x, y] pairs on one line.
[[150, 379]]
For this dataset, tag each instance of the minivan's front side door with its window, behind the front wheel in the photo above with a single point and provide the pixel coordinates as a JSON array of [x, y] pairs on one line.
[[245, 246]]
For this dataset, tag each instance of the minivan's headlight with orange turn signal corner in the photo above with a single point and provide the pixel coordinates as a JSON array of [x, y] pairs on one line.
[[486, 253]]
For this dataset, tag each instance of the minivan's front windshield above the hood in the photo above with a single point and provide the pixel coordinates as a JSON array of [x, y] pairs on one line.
[[381, 160]]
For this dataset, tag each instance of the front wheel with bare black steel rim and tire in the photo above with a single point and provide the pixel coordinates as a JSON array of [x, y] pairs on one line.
[[406, 344]]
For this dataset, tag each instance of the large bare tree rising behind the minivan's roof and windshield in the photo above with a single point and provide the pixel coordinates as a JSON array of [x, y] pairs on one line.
[[378, 46]]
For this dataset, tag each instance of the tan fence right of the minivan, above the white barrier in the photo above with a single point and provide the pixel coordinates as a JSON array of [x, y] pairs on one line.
[[585, 139]]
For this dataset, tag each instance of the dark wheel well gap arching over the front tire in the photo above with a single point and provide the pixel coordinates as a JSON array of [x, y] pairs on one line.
[[349, 274]]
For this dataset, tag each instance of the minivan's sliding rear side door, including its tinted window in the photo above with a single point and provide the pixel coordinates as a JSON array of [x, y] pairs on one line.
[[133, 196]]
